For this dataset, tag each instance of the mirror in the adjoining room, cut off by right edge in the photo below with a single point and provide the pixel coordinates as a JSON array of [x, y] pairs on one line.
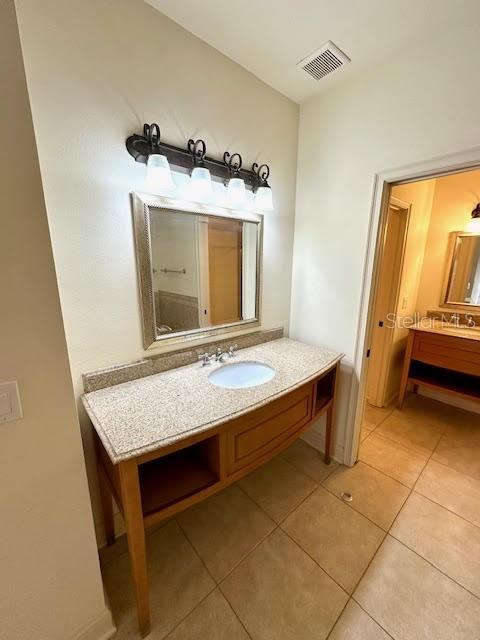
[[464, 280]]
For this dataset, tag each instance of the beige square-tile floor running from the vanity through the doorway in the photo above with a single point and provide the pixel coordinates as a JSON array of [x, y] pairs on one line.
[[280, 556]]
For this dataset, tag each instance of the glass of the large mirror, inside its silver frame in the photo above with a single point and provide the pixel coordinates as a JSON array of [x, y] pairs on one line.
[[204, 270]]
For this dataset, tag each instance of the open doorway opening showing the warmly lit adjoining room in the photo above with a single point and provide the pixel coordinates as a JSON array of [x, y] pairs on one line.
[[418, 279]]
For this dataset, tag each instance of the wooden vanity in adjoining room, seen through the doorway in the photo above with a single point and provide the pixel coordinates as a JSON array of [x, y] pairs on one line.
[[443, 357]]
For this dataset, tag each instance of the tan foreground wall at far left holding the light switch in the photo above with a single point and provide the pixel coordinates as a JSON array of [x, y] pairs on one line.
[[50, 585]]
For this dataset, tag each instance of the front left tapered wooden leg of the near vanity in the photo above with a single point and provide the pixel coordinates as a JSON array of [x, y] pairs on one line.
[[133, 515]]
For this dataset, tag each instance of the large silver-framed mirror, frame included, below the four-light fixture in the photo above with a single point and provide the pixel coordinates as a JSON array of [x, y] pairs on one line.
[[199, 269]]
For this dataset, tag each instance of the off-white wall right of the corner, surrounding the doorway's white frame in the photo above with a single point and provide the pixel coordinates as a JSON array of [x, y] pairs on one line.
[[397, 113]]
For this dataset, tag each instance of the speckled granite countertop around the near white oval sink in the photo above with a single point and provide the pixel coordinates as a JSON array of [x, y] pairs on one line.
[[152, 412]]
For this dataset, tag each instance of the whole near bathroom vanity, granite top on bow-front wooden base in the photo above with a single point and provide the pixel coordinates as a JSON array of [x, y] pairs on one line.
[[170, 440]]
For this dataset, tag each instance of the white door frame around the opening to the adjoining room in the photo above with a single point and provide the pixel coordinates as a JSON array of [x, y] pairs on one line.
[[383, 182]]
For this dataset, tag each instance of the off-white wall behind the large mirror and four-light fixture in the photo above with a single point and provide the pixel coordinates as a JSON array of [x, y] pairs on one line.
[[97, 70]]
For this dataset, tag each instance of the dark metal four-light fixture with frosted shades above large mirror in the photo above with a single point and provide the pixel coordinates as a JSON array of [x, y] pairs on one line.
[[142, 147]]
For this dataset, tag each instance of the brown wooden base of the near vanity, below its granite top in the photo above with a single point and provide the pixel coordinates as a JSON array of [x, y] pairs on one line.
[[157, 485]]
